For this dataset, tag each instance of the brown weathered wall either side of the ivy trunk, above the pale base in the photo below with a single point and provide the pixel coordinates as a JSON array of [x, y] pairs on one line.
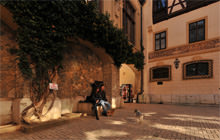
[[81, 67]]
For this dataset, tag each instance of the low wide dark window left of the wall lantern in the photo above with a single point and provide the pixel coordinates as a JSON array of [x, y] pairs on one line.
[[162, 73]]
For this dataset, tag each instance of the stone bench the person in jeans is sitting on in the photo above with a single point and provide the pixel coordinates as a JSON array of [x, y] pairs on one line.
[[84, 107]]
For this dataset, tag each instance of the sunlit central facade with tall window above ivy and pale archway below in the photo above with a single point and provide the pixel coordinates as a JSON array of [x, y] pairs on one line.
[[126, 15]]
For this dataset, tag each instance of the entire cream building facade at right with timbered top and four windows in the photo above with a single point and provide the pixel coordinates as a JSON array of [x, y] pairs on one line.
[[182, 52]]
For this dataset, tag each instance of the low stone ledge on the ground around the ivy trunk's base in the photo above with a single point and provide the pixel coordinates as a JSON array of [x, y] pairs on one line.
[[44, 125]]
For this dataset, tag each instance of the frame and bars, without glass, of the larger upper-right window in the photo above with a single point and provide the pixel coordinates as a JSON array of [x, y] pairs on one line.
[[196, 30]]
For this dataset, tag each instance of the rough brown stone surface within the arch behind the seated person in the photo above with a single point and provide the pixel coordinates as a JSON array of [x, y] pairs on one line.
[[81, 67]]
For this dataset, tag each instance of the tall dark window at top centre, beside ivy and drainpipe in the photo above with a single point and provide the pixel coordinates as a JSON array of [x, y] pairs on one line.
[[129, 21]]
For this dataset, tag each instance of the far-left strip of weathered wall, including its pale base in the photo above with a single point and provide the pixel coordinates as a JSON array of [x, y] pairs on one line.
[[7, 74]]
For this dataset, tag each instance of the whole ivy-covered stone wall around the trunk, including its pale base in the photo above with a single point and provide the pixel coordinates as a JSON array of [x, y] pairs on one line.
[[83, 64]]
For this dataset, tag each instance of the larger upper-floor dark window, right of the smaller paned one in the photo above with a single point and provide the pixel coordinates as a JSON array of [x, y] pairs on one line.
[[197, 31]]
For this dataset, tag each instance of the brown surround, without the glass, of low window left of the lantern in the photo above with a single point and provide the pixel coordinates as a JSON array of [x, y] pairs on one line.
[[161, 79]]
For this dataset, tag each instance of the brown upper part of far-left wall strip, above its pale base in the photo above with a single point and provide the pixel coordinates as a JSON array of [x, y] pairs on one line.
[[7, 62]]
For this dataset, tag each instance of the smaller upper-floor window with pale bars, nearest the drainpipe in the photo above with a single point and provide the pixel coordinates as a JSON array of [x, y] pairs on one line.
[[160, 41]]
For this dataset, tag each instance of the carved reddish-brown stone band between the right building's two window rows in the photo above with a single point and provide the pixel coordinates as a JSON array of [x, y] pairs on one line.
[[204, 45]]
